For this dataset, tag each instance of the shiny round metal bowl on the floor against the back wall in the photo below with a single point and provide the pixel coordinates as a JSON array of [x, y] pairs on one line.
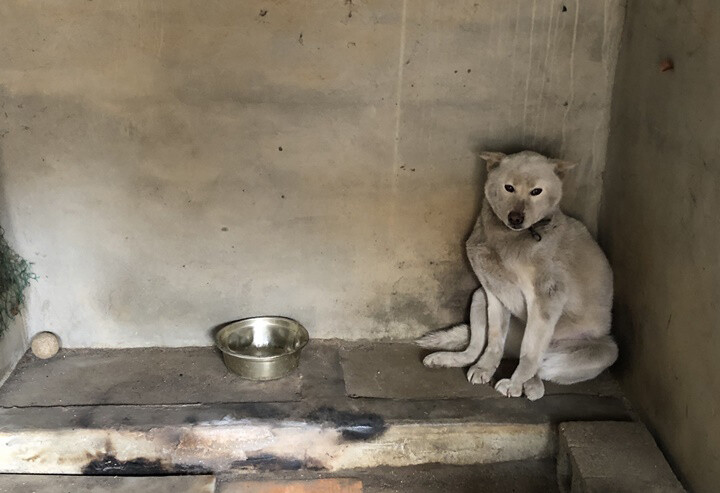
[[262, 348]]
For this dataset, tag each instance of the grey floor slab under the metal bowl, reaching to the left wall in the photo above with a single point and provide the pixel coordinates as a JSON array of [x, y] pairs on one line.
[[137, 376]]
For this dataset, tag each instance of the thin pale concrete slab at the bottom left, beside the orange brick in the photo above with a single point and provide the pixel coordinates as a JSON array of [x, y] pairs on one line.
[[25, 483]]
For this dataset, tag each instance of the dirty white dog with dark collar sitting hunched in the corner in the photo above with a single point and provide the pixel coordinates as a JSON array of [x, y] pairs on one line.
[[545, 282]]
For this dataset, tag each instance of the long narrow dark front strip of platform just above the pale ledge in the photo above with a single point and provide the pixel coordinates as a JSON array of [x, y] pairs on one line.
[[344, 411]]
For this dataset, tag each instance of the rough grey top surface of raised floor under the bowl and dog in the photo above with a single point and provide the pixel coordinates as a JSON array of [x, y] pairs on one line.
[[329, 372]]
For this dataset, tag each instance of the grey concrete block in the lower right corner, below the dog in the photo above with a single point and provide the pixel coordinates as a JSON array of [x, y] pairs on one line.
[[611, 456]]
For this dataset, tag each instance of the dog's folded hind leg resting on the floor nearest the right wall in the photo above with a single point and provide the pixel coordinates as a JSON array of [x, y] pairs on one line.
[[575, 360]]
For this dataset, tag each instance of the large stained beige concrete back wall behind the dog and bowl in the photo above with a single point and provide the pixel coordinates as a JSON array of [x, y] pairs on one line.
[[173, 165]]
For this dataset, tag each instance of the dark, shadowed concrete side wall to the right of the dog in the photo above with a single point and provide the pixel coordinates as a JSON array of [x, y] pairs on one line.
[[661, 228]]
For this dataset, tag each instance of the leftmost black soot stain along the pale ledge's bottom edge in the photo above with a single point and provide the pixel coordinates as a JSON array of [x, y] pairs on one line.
[[109, 465]]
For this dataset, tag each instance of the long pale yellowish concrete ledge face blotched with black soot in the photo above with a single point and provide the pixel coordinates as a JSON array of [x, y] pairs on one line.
[[257, 445]]
